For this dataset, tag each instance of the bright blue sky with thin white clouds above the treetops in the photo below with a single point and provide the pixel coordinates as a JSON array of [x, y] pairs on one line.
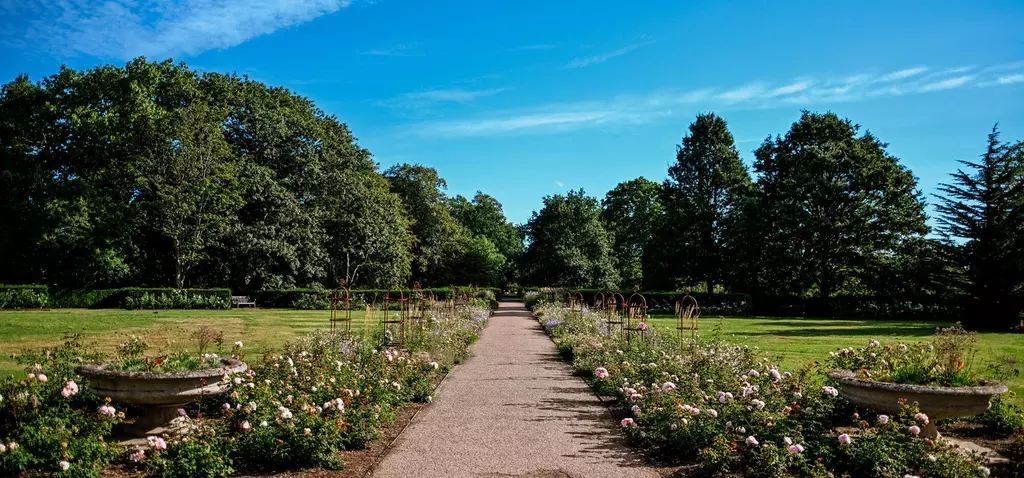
[[523, 100]]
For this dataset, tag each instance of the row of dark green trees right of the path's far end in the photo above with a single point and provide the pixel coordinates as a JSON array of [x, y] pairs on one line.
[[829, 214]]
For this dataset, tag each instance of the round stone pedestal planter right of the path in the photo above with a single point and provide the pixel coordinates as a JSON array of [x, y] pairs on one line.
[[936, 403]]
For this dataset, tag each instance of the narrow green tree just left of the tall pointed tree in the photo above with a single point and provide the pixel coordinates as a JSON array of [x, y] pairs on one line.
[[631, 212]]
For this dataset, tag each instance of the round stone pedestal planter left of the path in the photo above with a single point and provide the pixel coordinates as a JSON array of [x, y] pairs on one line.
[[160, 395]]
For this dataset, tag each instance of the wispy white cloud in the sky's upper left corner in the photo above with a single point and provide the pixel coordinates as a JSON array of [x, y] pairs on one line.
[[125, 29]]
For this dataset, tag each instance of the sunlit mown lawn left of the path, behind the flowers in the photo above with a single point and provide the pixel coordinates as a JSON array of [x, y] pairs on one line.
[[260, 330]]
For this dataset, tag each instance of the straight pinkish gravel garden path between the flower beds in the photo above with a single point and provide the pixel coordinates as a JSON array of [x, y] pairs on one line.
[[514, 409]]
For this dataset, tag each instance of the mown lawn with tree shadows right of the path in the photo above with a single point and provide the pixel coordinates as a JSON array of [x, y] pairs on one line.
[[800, 341]]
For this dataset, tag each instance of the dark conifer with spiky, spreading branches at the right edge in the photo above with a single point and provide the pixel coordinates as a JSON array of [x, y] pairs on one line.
[[983, 213]]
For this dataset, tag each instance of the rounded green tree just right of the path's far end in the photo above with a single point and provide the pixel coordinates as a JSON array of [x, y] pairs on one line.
[[569, 247]]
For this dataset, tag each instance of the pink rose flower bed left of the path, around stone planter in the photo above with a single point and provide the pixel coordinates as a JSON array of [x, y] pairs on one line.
[[293, 410]]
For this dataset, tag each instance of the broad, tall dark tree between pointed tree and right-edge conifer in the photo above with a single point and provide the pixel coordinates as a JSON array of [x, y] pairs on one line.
[[837, 200]]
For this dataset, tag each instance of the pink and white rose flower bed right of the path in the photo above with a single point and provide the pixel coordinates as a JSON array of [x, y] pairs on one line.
[[732, 410]]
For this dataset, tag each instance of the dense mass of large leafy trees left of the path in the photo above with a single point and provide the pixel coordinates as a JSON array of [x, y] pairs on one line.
[[152, 175]]
